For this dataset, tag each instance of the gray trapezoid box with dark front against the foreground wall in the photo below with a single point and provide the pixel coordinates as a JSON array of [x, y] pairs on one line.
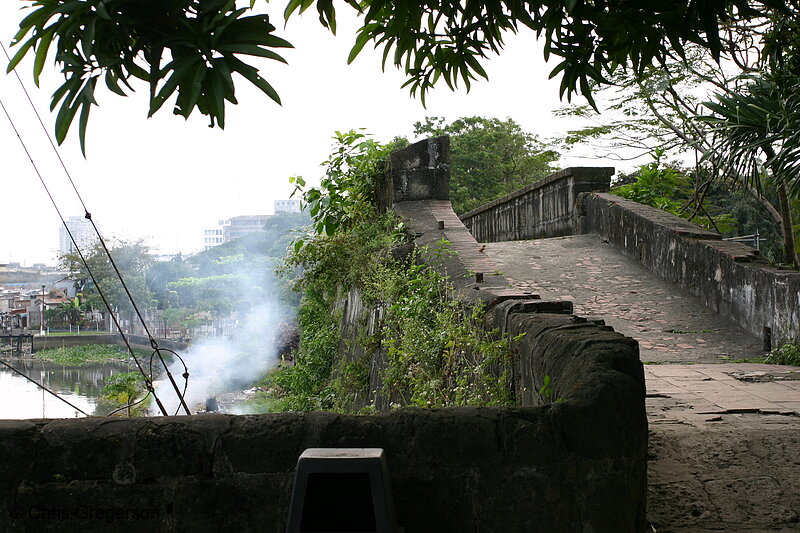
[[342, 490]]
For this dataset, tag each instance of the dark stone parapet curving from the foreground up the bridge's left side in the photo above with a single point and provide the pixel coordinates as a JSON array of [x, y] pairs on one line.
[[571, 458]]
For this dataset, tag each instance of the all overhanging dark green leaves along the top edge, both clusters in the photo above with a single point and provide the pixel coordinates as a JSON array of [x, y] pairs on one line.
[[430, 40]]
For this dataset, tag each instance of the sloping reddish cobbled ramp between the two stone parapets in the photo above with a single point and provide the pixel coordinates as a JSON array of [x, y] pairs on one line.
[[670, 325]]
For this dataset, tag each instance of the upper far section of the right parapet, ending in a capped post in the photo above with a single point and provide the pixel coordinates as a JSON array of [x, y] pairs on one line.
[[540, 210]]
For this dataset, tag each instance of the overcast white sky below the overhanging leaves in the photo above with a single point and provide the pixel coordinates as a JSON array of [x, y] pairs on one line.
[[164, 178]]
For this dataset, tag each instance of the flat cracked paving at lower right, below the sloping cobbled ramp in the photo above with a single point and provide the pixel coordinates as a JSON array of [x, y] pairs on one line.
[[723, 451]]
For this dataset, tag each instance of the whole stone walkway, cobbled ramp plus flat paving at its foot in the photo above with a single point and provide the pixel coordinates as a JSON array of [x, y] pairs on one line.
[[724, 452]]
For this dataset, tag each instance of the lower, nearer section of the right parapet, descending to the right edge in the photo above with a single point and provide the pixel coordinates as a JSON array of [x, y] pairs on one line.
[[728, 277]]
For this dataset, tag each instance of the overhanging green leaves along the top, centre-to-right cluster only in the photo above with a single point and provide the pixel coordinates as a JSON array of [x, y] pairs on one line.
[[432, 40]]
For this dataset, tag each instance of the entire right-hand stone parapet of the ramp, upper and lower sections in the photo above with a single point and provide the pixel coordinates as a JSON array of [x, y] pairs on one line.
[[728, 277]]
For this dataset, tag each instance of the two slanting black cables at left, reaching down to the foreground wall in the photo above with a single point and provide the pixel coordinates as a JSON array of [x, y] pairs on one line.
[[88, 216]]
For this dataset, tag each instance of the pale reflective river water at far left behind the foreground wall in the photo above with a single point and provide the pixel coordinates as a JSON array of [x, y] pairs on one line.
[[81, 386]]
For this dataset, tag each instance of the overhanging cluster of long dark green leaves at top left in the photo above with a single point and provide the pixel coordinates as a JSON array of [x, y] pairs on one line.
[[123, 39]]
